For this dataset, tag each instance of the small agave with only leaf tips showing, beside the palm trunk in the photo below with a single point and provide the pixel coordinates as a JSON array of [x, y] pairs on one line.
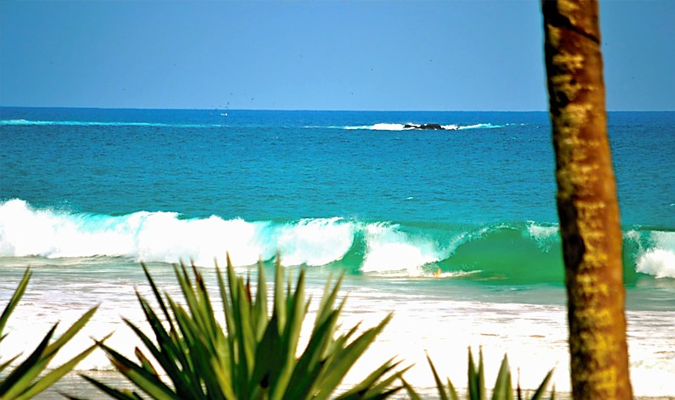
[[503, 389]]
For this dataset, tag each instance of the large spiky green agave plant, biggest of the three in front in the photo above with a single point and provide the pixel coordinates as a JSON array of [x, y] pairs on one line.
[[255, 356]]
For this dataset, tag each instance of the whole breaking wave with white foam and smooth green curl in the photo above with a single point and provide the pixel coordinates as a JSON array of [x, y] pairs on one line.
[[524, 252]]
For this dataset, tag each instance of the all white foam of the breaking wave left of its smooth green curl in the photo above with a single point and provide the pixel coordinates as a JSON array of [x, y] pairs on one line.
[[166, 237]]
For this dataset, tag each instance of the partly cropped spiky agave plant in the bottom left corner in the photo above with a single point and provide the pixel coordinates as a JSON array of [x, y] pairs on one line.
[[24, 380]]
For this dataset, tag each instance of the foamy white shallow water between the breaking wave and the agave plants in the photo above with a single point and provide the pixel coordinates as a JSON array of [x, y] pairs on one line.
[[443, 322]]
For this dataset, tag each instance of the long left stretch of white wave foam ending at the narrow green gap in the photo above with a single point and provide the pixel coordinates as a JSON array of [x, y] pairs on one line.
[[165, 237]]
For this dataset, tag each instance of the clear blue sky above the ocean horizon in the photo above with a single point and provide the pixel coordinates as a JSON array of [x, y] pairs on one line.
[[328, 55]]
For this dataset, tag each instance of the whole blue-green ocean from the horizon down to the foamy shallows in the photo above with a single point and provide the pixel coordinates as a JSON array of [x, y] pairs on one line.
[[453, 230]]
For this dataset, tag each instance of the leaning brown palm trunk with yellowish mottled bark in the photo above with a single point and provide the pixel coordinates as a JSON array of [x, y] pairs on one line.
[[587, 203]]
